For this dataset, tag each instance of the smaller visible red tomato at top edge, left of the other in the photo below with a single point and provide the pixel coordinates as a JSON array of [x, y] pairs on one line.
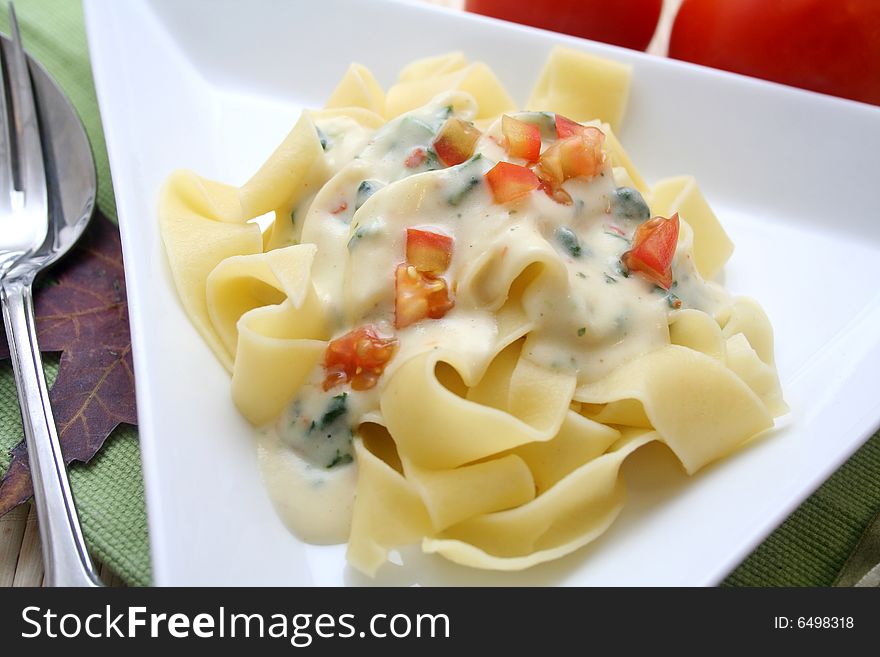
[[628, 23]]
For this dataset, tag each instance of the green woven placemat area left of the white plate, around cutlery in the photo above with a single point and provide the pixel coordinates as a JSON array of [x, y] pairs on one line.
[[109, 491]]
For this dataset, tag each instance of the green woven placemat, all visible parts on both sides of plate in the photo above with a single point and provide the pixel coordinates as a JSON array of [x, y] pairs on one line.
[[807, 550]]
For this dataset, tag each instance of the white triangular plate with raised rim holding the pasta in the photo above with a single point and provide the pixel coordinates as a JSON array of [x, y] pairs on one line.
[[215, 85]]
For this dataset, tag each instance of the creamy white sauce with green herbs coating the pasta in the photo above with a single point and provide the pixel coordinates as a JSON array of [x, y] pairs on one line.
[[586, 313]]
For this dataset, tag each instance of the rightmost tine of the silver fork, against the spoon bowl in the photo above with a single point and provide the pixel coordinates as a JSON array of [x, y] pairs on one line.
[[31, 172]]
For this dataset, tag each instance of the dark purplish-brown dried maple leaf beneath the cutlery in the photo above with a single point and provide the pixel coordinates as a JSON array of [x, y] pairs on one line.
[[82, 312]]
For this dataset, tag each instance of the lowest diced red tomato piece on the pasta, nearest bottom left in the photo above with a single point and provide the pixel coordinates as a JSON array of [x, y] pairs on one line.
[[359, 356]]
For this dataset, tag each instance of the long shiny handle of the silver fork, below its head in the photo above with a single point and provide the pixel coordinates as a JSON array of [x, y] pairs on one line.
[[65, 558]]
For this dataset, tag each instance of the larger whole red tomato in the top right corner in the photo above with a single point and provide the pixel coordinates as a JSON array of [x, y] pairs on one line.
[[830, 46]]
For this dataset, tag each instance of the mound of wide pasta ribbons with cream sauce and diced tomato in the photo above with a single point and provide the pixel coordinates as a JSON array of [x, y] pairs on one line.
[[460, 317]]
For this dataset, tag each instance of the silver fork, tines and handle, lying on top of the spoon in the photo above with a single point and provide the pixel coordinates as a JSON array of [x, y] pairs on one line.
[[26, 246]]
